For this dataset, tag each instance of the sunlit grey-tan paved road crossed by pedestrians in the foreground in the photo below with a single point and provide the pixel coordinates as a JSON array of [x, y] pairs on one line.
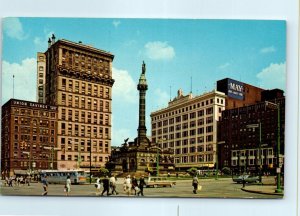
[[211, 188]]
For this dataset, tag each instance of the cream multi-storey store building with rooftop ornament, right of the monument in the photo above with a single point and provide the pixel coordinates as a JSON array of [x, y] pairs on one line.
[[188, 127]]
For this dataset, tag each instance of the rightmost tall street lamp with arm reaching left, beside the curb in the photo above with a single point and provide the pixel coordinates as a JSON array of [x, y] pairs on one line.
[[279, 164]]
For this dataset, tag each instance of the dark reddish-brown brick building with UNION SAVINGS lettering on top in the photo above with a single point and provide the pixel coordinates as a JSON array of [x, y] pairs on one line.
[[29, 132]]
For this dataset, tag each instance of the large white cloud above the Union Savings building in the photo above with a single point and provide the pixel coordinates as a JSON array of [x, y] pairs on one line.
[[24, 81]]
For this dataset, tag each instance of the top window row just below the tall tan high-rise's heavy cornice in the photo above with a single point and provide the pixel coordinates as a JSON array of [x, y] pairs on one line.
[[85, 88]]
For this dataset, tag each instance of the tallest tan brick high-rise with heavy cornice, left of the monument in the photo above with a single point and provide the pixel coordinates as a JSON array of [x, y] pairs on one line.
[[79, 82]]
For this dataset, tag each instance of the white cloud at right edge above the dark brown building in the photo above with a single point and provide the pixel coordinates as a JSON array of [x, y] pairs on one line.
[[273, 76]]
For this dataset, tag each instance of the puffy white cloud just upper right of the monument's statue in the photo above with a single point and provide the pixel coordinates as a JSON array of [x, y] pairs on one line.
[[159, 50]]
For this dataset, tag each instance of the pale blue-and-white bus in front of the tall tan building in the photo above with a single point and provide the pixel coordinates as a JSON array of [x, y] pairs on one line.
[[60, 176]]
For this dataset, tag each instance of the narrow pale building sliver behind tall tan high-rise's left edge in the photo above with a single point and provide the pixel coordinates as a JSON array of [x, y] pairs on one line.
[[41, 78]]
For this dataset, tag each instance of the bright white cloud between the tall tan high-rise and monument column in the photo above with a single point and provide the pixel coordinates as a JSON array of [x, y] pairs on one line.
[[124, 88]]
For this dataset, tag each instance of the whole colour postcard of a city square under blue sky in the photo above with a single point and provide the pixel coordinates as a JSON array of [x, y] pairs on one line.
[[143, 107]]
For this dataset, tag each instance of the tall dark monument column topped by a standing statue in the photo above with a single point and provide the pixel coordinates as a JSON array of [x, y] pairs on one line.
[[142, 88]]
